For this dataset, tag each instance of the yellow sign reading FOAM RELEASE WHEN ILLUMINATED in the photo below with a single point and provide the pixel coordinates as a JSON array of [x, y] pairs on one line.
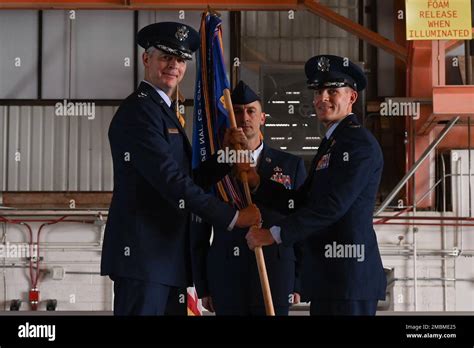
[[438, 19]]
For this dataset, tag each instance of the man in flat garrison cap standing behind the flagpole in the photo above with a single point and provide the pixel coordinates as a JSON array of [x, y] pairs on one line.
[[226, 274]]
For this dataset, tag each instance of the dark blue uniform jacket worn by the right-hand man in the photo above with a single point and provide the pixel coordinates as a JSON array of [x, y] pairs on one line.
[[333, 217]]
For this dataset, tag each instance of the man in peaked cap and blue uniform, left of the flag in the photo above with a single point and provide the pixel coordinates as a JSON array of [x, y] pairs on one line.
[[146, 244]]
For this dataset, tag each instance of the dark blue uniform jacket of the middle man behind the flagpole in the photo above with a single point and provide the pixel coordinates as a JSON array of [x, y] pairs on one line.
[[227, 270]]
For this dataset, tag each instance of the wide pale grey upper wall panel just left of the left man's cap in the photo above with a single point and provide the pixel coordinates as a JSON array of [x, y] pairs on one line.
[[88, 57]]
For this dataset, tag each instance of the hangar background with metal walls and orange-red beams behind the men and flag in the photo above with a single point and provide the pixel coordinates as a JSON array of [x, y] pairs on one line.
[[56, 175]]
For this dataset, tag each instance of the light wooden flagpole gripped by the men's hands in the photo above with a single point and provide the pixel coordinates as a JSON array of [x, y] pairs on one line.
[[262, 269]]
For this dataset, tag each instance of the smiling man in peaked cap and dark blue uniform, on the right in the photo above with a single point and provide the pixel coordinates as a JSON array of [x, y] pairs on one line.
[[342, 269]]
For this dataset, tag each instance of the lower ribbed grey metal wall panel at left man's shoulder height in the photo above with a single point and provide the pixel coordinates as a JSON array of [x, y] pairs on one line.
[[44, 152]]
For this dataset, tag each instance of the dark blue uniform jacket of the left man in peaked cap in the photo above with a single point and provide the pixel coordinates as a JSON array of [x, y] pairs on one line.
[[147, 231]]
